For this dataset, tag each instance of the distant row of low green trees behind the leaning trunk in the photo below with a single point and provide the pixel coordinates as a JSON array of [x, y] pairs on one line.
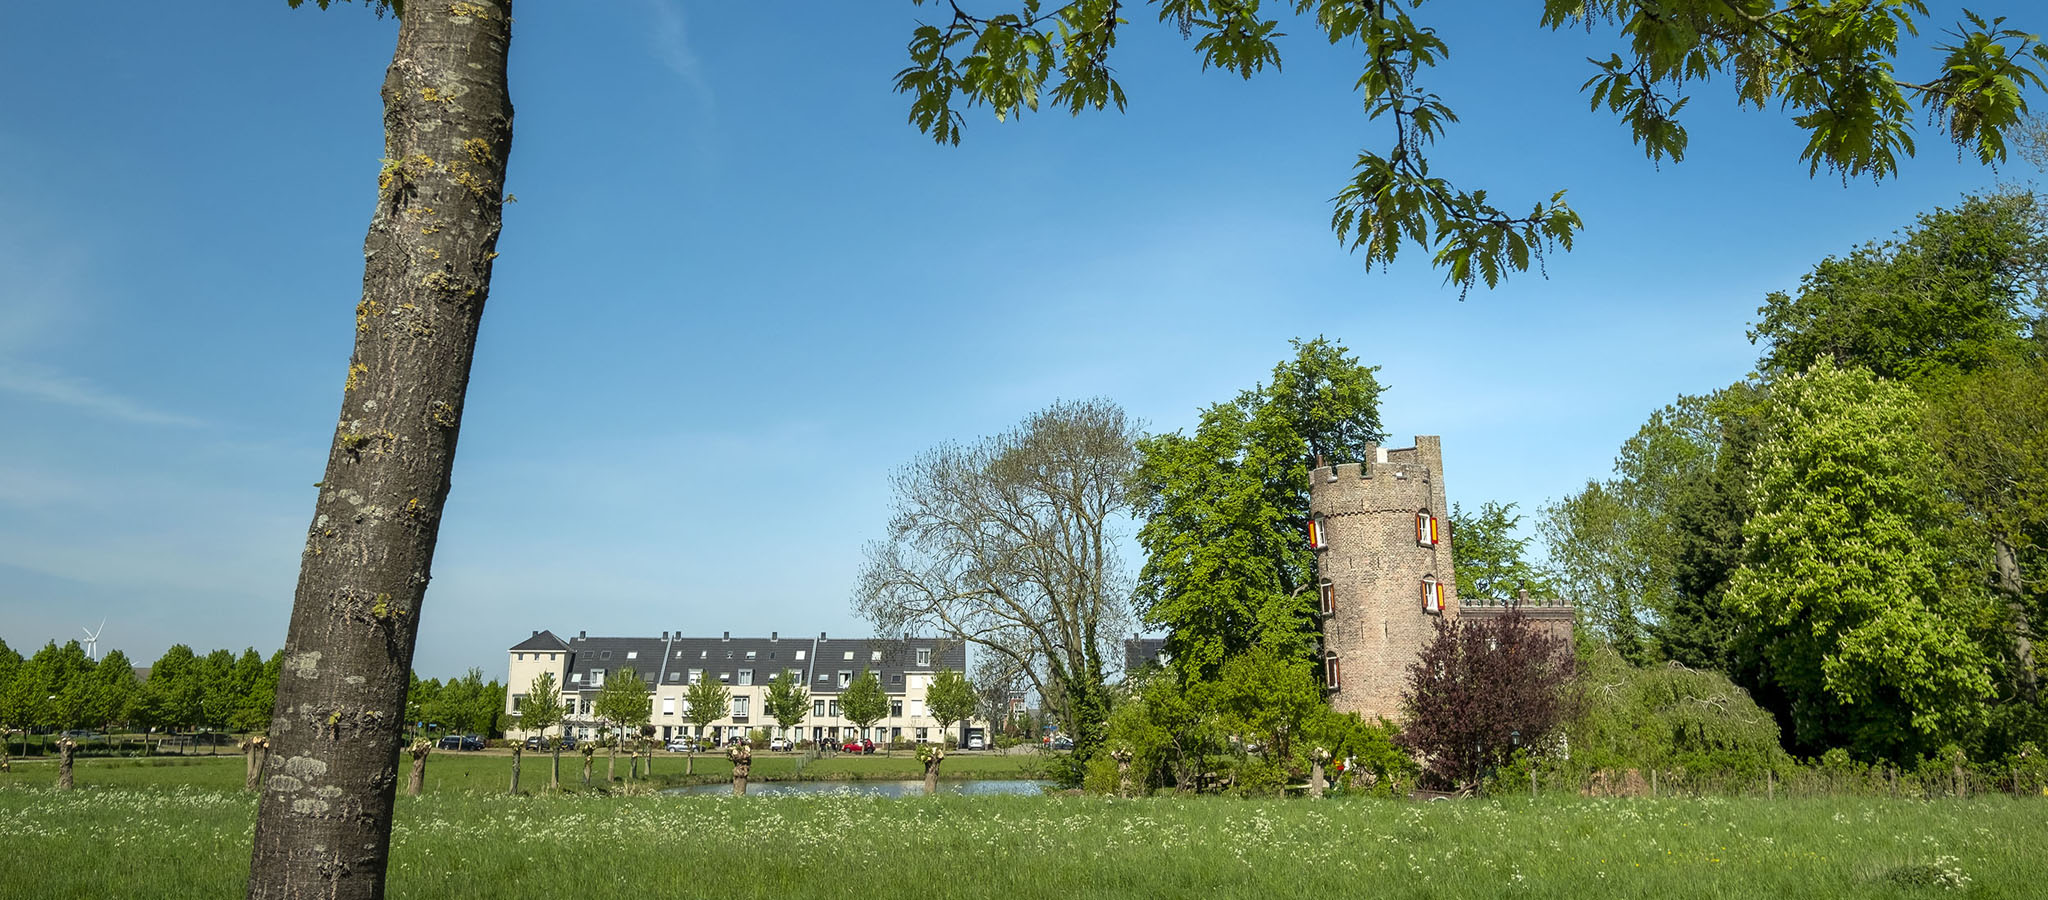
[[60, 688]]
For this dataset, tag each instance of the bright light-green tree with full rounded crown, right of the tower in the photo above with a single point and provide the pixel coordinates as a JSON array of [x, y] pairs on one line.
[[1850, 577]]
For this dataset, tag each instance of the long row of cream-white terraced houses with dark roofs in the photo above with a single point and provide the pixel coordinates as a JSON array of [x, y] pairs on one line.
[[744, 665]]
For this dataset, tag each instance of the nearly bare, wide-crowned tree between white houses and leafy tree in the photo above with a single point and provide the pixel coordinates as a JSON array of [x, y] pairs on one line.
[[1011, 544]]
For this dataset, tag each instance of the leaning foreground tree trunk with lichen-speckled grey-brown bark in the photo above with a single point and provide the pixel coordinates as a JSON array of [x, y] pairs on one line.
[[325, 819]]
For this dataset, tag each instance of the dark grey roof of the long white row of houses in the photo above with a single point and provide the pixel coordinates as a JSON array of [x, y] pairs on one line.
[[671, 659]]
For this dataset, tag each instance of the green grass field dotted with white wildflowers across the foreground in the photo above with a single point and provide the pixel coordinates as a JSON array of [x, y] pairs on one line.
[[173, 833]]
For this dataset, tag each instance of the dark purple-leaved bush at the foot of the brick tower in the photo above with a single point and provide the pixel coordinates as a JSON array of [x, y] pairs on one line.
[[1482, 690]]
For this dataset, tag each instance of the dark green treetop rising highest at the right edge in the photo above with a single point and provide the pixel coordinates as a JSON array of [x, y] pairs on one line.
[[1959, 292]]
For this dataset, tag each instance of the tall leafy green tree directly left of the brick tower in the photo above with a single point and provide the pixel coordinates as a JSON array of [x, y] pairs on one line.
[[1226, 509]]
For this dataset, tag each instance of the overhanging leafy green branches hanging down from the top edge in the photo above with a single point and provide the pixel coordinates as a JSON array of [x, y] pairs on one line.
[[1830, 65]]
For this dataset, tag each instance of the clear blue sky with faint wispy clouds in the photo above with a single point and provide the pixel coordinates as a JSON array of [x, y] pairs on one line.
[[738, 290]]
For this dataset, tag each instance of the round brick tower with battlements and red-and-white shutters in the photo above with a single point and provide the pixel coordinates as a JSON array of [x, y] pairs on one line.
[[1383, 561]]
